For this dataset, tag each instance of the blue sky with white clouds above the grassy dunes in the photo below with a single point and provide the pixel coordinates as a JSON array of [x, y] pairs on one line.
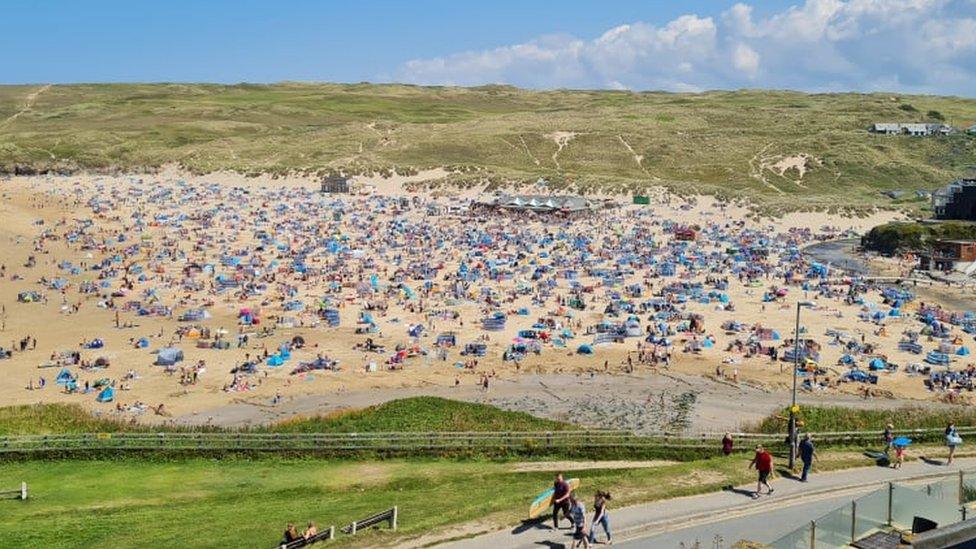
[[917, 46]]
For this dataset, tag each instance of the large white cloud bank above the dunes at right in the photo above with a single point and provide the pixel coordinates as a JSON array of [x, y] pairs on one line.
[[897, 45]]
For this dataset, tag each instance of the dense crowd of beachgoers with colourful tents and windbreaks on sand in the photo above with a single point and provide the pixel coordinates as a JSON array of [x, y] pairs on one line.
[[391, 282]]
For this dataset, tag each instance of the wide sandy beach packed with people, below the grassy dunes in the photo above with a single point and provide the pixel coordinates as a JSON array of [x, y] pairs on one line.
[[253, 266]]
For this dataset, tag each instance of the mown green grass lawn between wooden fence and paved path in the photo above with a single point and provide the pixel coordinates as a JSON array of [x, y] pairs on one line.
[[246, 503]]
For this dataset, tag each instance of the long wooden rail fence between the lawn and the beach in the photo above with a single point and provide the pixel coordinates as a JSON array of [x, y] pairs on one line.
[[418, 442]]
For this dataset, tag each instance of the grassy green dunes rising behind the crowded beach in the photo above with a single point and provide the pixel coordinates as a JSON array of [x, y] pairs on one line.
[[731, 143]]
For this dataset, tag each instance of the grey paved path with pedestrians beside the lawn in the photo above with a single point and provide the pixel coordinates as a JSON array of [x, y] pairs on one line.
[[654, 519]]
